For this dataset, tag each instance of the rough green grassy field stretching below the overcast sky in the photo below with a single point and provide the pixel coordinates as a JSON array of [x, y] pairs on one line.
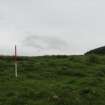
[[53, 80]]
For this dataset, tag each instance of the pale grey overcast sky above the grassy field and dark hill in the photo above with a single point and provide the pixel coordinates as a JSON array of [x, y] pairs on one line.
[[47, 27]]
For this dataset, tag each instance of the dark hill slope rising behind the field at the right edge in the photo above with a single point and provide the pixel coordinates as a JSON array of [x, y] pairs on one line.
[[100, 50]]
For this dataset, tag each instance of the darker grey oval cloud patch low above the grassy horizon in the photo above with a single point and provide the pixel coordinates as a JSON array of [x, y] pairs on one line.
[[45, 42]]
